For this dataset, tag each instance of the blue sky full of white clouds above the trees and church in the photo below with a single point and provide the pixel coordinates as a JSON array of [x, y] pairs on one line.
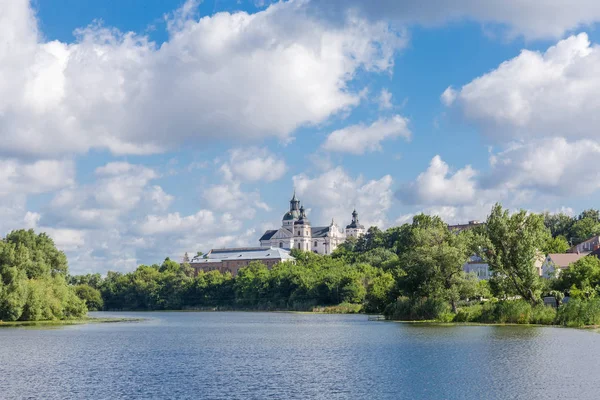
[[139, 129]]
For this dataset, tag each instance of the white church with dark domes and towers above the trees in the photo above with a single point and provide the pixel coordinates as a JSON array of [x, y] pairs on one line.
[[297, 233]]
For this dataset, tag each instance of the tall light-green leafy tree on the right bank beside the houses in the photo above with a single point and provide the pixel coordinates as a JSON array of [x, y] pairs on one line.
[[512, 249]]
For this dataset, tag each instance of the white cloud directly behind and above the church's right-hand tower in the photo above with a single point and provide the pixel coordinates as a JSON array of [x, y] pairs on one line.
[[334, 194]]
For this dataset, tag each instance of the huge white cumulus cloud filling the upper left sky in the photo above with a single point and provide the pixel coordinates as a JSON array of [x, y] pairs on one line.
[[230, 75]]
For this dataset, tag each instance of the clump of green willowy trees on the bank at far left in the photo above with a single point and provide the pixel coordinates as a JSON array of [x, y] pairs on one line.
[[32, 280]]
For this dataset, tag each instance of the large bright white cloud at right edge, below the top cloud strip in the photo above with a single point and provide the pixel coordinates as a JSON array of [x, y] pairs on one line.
[[551, 94]]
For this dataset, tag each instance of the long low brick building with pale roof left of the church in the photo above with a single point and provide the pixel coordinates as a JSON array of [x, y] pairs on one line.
[[231, 260]]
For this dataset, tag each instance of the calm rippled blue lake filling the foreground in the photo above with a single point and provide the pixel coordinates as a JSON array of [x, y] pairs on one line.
[[235, 355]]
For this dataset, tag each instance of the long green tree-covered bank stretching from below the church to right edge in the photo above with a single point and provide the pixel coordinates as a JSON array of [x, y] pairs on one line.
[[409, 272]]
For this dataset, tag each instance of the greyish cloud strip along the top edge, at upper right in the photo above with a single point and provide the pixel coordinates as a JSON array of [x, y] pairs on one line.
[[533, 19]]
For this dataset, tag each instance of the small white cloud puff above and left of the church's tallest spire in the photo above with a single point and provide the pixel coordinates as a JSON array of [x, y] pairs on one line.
[[253, 164]]
